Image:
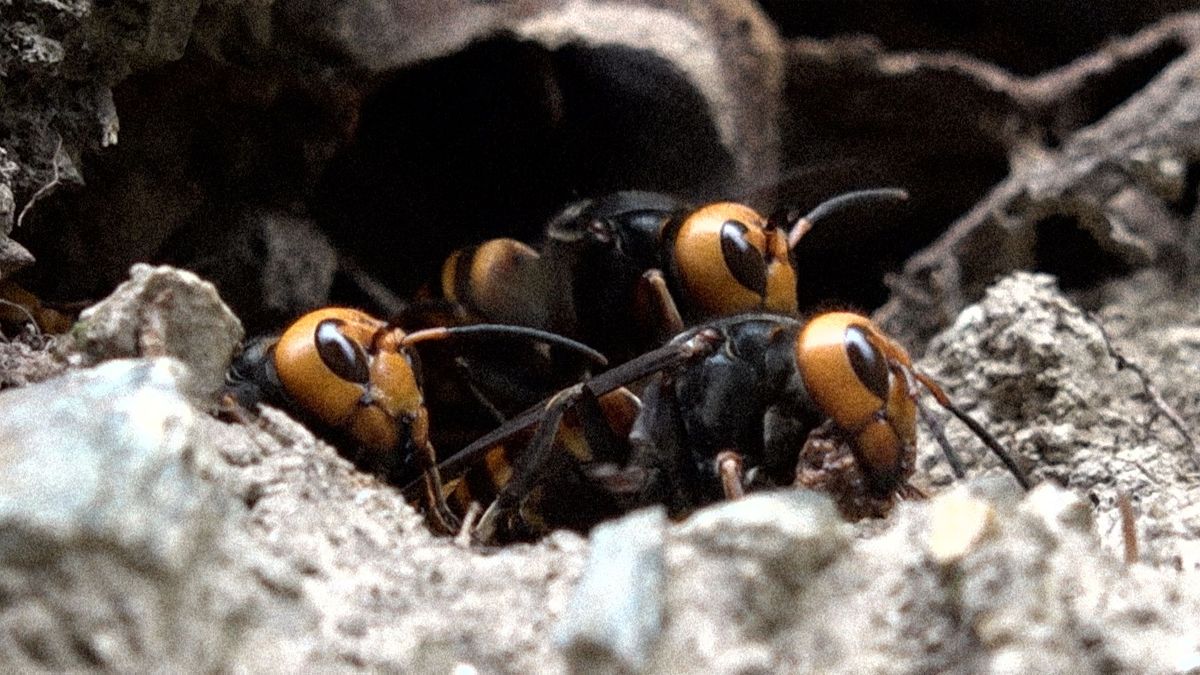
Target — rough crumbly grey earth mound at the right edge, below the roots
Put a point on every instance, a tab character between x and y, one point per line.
1040	372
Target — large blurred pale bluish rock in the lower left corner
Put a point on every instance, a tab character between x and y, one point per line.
109	542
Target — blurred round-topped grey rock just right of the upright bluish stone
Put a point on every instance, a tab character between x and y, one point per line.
740	571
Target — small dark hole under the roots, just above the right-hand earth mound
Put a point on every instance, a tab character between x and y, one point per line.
1069	252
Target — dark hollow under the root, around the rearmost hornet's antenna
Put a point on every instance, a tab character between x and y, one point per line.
925	134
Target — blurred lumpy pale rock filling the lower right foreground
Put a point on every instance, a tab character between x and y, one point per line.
1025	593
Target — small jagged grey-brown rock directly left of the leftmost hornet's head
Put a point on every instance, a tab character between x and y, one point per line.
161	312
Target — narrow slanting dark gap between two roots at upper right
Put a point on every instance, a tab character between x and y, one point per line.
1099	97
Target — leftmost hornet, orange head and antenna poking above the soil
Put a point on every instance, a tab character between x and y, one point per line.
358	381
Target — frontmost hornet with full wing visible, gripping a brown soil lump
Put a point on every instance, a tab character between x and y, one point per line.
741	403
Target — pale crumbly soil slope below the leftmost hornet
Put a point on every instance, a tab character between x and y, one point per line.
388	594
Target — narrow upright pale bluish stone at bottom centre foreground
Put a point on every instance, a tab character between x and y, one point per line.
616	612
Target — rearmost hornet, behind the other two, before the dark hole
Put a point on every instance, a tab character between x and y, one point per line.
640	261
